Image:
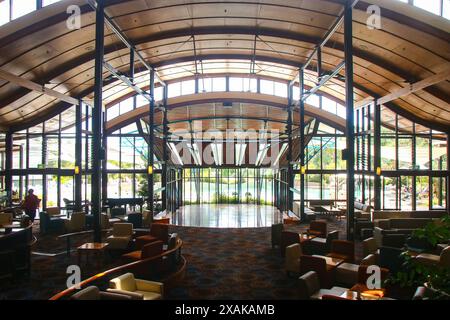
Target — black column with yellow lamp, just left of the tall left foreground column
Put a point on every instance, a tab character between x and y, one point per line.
78	154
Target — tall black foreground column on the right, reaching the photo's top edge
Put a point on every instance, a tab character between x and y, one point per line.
350	152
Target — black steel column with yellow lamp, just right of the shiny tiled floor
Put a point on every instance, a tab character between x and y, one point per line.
302	145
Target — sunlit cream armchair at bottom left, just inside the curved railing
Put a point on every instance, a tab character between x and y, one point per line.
137	288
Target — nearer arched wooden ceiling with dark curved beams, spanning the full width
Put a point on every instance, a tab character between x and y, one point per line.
412	45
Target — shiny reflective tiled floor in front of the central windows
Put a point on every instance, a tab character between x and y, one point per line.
226	216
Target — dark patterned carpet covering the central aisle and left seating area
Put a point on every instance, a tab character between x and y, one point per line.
222	264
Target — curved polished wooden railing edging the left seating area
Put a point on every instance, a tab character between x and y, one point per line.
125	267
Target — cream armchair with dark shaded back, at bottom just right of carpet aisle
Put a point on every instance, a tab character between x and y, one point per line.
310	288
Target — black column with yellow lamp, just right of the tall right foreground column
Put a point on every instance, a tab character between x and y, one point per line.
377	155
